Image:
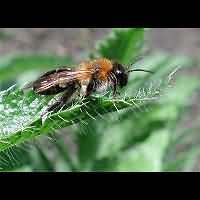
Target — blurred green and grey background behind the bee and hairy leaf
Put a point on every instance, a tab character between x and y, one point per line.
157	137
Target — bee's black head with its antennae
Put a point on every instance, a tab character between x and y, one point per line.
121	73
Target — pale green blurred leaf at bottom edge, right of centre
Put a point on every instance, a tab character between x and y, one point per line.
144	157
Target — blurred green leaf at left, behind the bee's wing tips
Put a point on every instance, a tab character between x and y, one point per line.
13	66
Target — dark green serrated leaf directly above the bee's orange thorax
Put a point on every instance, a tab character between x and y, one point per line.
123	44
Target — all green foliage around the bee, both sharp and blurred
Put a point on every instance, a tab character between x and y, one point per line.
137	131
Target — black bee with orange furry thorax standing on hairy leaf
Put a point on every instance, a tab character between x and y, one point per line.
88	77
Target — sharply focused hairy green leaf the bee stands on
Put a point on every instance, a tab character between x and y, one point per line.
20	118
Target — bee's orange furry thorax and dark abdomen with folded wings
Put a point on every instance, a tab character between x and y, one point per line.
88	77
